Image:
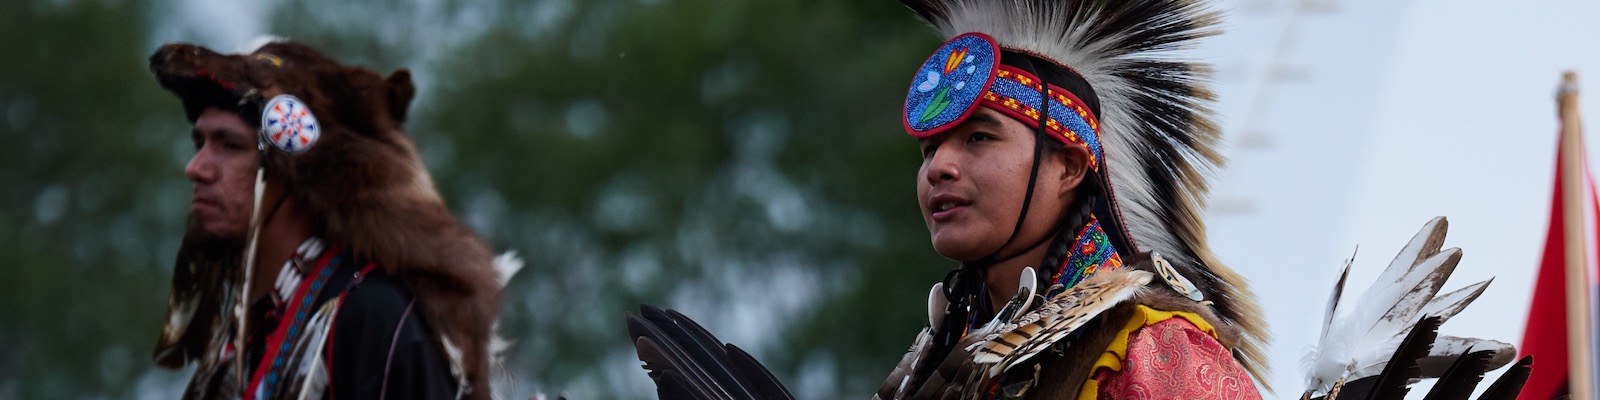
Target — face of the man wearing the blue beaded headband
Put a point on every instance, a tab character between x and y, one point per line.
972	185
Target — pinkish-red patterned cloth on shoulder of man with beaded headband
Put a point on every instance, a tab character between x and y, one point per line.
1174	359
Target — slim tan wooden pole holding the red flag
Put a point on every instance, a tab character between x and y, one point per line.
1574	180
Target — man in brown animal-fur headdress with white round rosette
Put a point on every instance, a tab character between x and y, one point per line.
319	260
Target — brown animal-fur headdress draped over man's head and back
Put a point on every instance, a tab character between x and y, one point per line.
364	185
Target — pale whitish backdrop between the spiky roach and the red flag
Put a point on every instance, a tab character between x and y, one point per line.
1356	122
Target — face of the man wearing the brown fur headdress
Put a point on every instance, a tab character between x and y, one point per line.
223	172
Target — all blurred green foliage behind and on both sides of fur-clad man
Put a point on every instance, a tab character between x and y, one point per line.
738	161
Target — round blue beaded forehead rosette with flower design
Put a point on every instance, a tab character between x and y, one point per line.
950	86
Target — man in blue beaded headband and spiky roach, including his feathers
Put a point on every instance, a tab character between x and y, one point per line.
1066	154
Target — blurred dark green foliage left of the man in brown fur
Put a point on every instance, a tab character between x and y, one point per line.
94	199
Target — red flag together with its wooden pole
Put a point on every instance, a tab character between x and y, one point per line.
1551	330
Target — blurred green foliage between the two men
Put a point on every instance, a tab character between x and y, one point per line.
738	161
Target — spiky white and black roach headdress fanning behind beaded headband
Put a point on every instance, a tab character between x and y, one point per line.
1154	126
